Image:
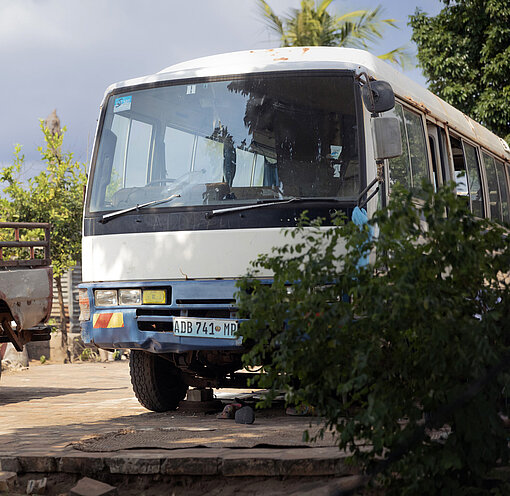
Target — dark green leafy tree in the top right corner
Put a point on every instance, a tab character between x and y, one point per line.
464	52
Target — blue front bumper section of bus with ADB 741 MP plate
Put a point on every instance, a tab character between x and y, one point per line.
201	315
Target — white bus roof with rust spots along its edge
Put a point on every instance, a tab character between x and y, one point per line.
310	58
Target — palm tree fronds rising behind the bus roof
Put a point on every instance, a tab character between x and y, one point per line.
313	25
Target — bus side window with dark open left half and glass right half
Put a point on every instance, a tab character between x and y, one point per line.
467	174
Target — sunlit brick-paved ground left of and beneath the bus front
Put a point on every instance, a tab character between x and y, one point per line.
47	407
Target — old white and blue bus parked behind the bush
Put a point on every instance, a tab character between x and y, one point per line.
199	168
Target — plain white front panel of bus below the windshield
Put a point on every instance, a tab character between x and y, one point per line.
176	255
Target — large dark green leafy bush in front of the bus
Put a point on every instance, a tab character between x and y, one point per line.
403	358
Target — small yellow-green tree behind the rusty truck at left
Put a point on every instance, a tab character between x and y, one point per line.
55	195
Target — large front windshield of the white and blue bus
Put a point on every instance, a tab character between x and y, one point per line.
229	142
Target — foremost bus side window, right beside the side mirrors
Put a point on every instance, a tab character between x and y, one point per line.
412	166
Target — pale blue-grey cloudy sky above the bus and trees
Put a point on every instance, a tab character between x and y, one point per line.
62	54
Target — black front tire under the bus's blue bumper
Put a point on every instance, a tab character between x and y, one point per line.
158	385
